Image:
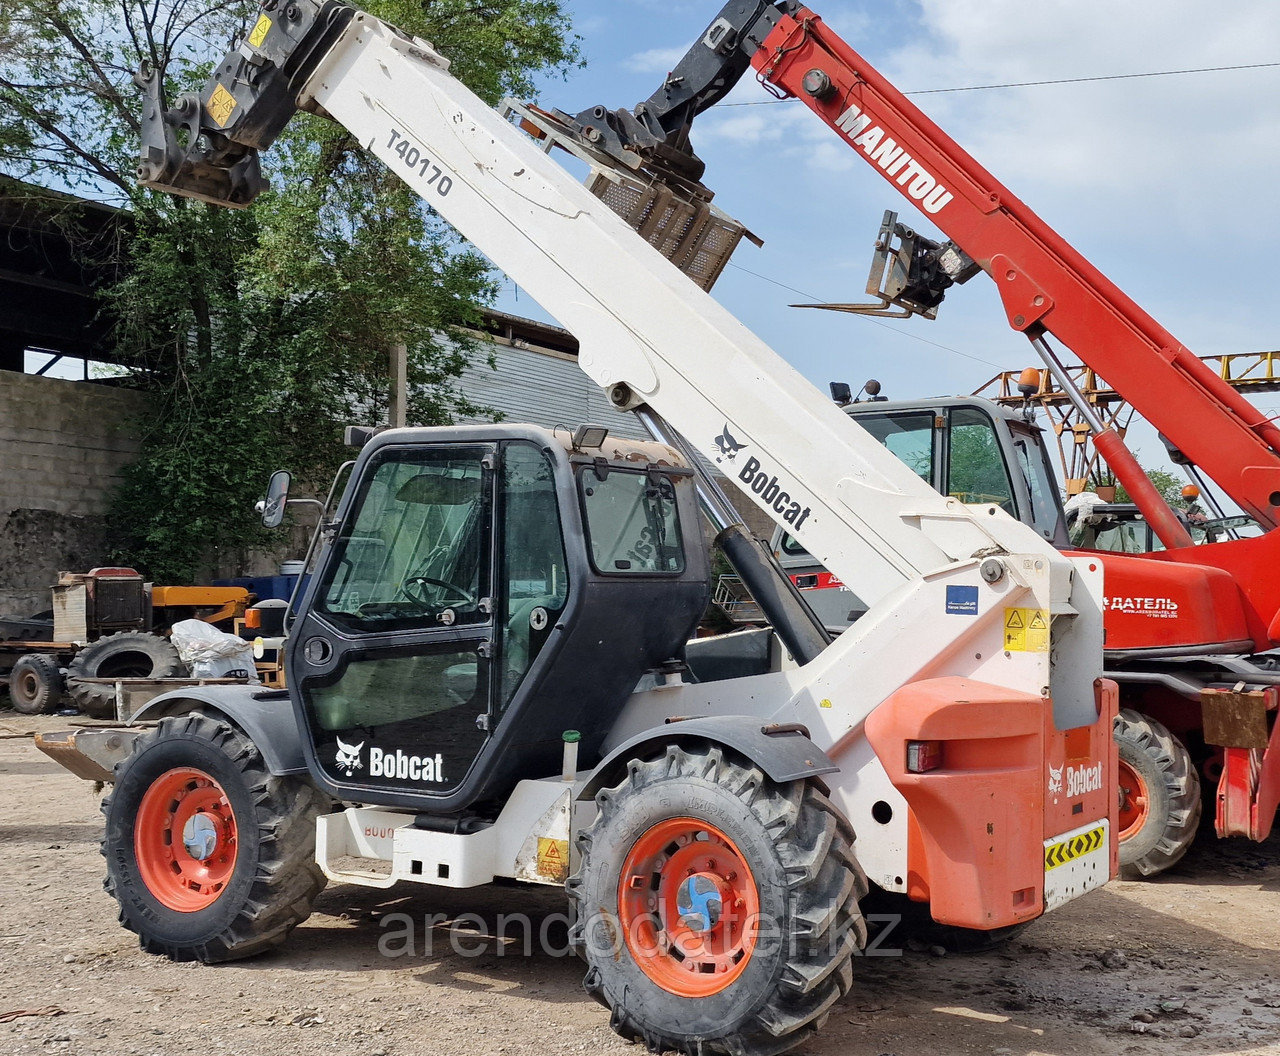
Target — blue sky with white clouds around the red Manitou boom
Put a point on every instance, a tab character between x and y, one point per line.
1167	184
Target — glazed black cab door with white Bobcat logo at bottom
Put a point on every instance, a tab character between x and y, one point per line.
392	662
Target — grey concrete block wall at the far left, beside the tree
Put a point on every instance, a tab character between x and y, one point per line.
62	449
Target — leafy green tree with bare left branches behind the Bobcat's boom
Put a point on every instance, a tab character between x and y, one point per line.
257	332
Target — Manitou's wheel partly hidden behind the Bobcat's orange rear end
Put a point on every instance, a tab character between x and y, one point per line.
1164	811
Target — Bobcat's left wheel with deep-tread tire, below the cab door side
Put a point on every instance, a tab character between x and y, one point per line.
273	879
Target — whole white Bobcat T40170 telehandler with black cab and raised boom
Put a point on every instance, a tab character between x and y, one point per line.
491	664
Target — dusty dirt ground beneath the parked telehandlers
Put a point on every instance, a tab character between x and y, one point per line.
1187	964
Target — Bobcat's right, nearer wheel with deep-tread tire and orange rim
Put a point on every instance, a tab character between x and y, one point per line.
804	883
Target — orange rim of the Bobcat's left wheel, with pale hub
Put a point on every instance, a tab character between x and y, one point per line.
186	840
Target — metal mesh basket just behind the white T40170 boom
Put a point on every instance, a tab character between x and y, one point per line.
693	235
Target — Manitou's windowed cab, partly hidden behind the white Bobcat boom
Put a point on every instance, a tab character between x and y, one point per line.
964	447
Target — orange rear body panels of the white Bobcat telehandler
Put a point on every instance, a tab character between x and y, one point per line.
976	838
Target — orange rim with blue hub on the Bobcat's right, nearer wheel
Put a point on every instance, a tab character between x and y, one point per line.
689	908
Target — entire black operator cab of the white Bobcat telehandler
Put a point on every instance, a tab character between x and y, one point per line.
464	616
